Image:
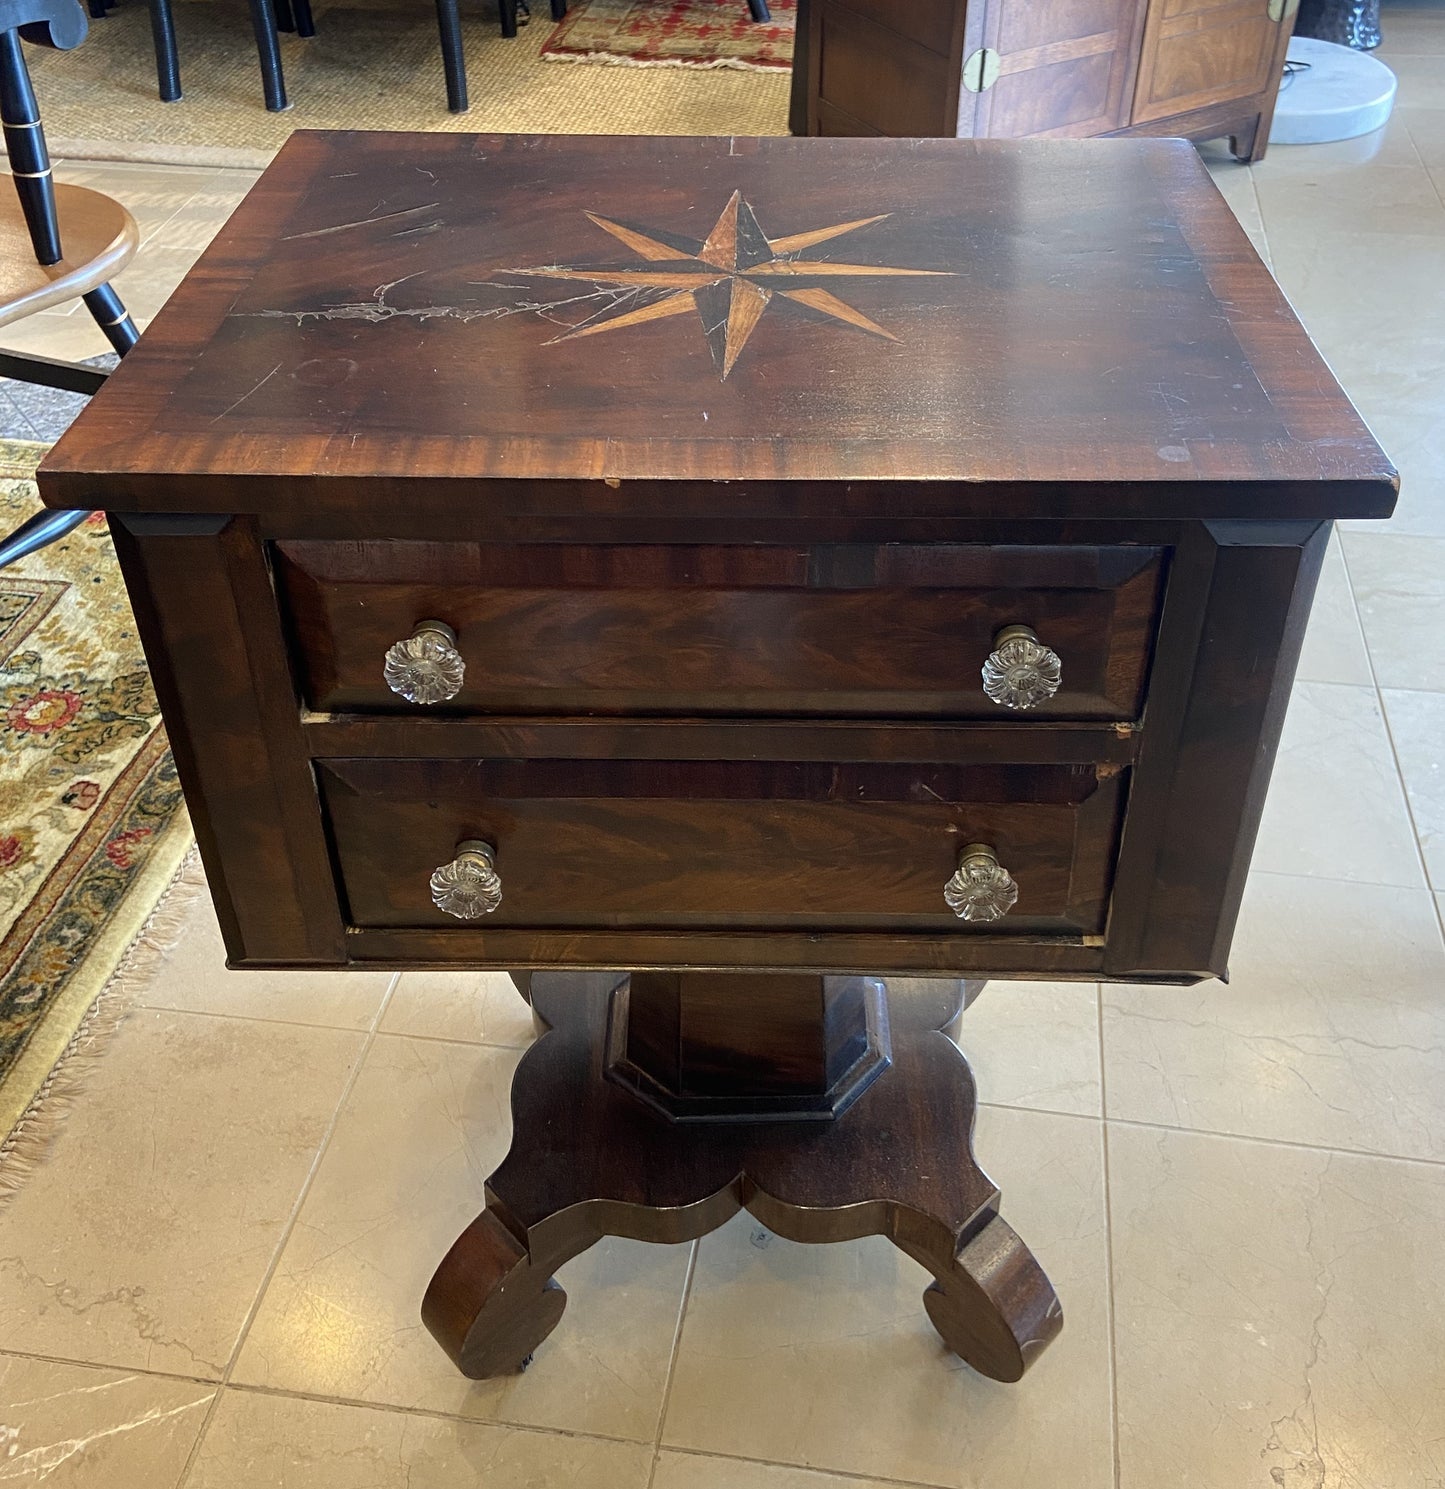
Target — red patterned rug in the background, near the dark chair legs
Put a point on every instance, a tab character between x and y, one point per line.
676	34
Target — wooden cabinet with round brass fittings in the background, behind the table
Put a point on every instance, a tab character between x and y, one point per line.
1015	69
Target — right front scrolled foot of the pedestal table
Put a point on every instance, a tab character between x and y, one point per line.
994	1308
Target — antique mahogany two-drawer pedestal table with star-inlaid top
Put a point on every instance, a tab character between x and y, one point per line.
708	578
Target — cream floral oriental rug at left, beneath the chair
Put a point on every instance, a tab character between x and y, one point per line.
92	820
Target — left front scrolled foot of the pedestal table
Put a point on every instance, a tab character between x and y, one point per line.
488	1305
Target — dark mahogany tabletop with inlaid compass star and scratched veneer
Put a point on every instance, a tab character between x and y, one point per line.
974	327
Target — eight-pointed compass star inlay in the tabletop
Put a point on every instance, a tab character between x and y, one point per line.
729	281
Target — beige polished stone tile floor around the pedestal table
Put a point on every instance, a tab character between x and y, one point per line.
1240	1190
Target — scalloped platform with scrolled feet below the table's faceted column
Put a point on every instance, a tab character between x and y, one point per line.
591	1159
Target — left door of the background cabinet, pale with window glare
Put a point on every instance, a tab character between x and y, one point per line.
1066	68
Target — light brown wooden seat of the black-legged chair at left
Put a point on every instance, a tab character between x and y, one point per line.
101	237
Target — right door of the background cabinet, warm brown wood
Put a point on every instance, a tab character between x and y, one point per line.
1201	53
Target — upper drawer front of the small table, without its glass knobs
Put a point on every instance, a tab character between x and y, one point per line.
890	631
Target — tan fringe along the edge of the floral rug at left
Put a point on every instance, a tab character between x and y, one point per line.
29	1141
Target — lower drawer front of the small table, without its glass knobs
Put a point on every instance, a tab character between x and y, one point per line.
704	845
